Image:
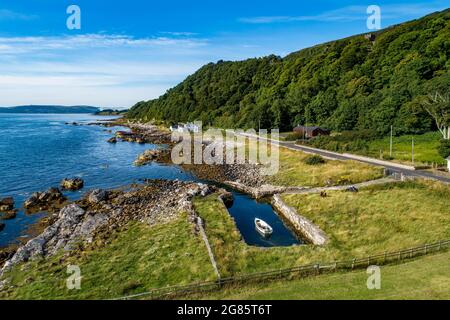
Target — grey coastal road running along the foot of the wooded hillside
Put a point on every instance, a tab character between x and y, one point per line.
337	156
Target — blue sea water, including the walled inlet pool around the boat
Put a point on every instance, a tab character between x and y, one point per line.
37	151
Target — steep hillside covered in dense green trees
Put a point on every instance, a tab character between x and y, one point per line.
353	83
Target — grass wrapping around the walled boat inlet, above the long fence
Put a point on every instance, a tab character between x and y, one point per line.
375	220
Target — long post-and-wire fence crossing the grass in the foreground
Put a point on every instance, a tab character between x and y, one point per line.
295	272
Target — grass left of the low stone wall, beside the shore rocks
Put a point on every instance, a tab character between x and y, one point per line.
136	259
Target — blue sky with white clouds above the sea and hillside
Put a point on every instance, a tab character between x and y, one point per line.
134	50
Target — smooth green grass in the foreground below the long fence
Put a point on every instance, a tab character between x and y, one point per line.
423	278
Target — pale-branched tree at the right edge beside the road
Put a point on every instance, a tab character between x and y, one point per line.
438	107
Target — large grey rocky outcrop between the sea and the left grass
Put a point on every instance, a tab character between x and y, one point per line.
92	219
